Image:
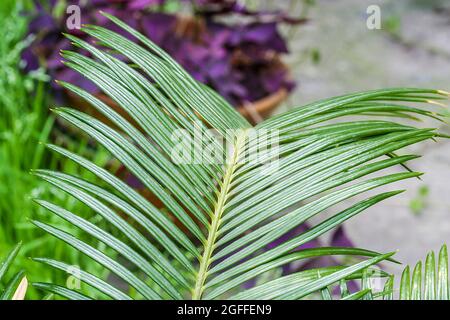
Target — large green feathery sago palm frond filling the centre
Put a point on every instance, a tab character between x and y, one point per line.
212	235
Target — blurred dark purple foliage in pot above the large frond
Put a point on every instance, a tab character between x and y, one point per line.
238	60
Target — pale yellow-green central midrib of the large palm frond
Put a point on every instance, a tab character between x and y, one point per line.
219	209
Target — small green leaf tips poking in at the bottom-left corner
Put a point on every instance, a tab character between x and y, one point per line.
16	287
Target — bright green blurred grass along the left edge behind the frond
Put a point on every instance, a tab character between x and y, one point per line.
25	126
